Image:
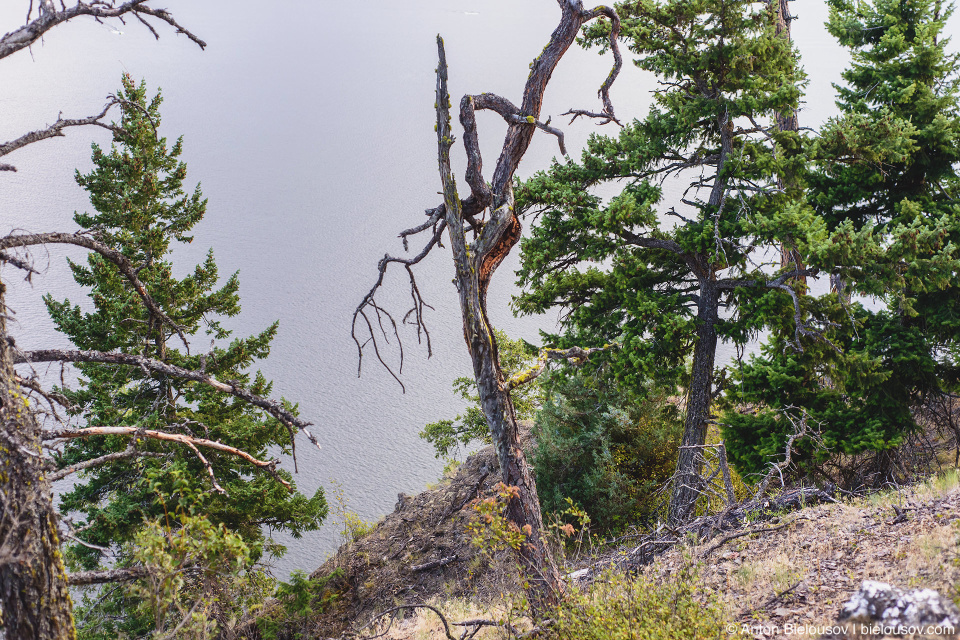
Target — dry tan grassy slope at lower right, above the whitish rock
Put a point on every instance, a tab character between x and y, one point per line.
827	551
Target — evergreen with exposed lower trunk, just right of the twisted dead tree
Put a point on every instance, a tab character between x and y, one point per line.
655	275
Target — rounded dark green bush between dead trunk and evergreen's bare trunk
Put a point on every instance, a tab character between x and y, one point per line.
603	450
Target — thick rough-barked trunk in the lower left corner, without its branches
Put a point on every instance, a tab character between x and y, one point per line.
34	600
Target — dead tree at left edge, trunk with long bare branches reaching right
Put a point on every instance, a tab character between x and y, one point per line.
34	598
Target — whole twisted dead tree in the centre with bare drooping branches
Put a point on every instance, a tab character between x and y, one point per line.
488	216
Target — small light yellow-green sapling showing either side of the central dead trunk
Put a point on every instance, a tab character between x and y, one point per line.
448	436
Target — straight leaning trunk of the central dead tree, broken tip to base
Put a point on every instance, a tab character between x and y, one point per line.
472	280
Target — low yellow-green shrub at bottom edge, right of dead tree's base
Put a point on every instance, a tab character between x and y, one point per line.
619	607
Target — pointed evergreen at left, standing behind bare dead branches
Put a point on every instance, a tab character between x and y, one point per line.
141	209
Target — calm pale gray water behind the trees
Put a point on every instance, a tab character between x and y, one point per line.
310	127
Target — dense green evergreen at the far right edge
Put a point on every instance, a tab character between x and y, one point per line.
885	173
